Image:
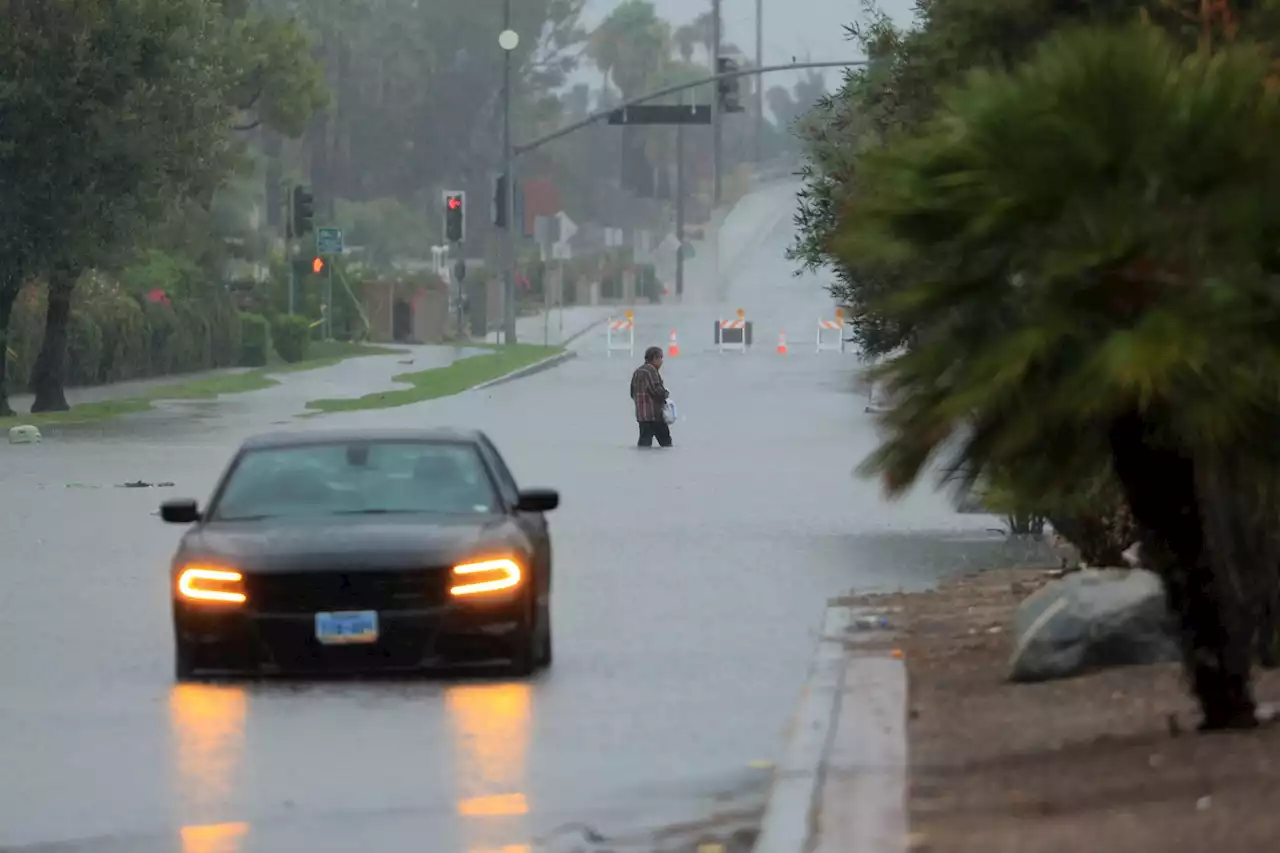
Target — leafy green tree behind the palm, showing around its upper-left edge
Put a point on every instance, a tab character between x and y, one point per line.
900	89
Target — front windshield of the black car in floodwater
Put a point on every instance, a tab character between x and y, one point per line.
362	478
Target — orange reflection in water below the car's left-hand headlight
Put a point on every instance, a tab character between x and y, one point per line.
208	727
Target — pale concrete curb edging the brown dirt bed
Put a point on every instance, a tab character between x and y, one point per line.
842	783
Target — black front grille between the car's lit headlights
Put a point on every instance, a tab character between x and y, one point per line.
324	591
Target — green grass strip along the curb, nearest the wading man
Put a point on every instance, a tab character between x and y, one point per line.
445	382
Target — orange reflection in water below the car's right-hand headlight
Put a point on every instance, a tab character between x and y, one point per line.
491	731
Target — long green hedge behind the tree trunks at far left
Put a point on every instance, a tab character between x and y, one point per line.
115	336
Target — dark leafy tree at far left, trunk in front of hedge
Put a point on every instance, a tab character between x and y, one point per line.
115	111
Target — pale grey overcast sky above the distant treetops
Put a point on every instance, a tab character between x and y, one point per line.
807	30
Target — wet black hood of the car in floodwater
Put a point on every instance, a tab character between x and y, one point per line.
353	544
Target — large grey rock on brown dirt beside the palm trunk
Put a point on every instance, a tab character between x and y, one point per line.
1090	621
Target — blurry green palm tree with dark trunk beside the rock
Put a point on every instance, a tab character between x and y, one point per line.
1092	240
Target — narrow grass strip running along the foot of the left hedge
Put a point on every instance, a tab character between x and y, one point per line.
323	354
